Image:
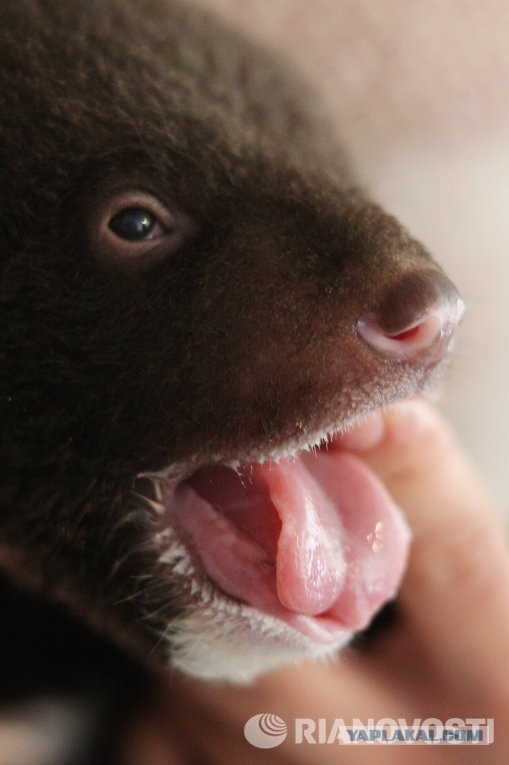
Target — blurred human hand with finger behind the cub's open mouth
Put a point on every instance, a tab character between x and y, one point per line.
447	656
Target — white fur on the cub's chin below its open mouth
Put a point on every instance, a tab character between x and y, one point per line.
218	638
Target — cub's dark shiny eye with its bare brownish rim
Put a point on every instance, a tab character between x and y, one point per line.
136	225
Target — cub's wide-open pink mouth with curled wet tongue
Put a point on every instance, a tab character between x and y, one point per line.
313	539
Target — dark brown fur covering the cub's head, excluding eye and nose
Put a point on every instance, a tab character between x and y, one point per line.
221	351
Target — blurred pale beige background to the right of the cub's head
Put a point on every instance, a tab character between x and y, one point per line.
420	94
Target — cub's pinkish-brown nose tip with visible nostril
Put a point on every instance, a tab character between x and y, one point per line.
416	319
